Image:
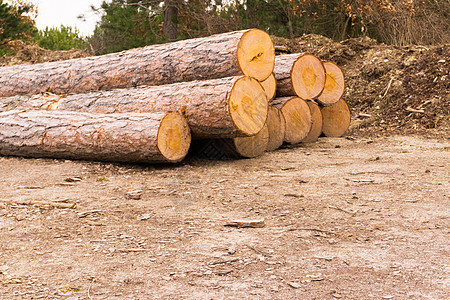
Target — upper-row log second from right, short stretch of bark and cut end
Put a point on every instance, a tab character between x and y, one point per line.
300	75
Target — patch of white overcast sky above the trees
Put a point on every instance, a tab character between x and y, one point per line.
53	13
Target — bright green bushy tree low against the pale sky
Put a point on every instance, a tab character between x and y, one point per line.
63	38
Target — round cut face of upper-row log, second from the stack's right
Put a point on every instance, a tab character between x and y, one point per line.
308	76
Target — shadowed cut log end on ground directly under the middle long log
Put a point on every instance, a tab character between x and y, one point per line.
252	146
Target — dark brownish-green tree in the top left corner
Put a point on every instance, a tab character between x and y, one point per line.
15	24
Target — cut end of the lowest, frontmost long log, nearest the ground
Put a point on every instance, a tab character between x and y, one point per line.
174	137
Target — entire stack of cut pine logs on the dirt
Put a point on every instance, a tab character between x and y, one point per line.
143	105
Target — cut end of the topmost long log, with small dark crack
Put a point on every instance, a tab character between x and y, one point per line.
256	54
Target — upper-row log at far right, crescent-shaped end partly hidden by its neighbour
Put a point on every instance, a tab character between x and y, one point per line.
334	85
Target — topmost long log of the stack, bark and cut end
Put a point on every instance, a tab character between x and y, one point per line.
246	52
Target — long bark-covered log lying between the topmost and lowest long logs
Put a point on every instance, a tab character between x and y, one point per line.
225	107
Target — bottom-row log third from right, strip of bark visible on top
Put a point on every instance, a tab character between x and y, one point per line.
298	118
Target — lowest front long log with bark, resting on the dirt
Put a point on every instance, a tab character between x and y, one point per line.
144	138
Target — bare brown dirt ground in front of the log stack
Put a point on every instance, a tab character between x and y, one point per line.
363	218
